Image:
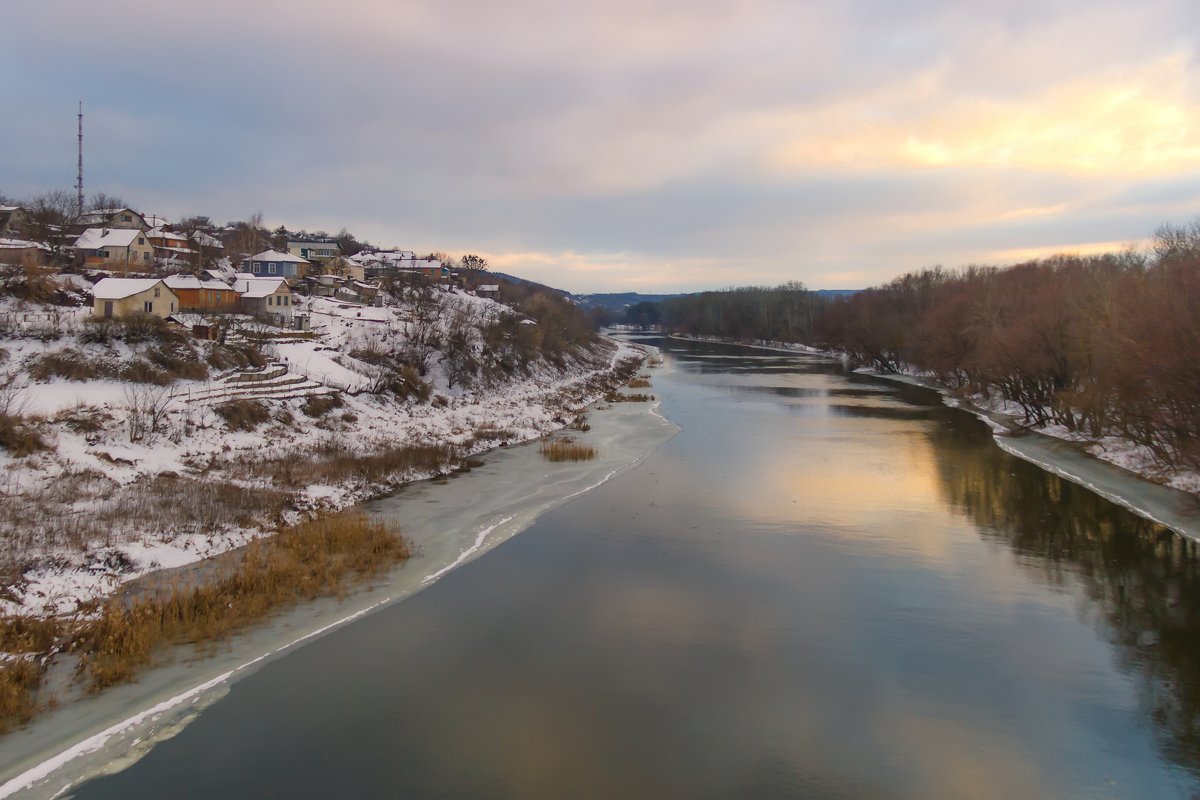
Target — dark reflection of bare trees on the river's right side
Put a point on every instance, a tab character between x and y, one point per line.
1141	581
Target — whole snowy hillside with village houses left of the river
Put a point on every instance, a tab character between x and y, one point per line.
172	392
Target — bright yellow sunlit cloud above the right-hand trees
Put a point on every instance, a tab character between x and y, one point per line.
1127	125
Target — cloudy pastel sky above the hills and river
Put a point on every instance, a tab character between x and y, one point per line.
611	146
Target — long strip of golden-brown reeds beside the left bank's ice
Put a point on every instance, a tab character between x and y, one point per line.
309	561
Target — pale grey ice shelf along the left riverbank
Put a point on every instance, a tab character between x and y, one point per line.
451	524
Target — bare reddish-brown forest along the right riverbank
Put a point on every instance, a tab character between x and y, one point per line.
1106	346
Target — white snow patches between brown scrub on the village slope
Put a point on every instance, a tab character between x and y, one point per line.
194	438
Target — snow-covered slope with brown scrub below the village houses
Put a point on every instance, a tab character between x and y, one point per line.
99	507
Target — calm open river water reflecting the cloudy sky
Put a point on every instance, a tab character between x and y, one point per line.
824	587
